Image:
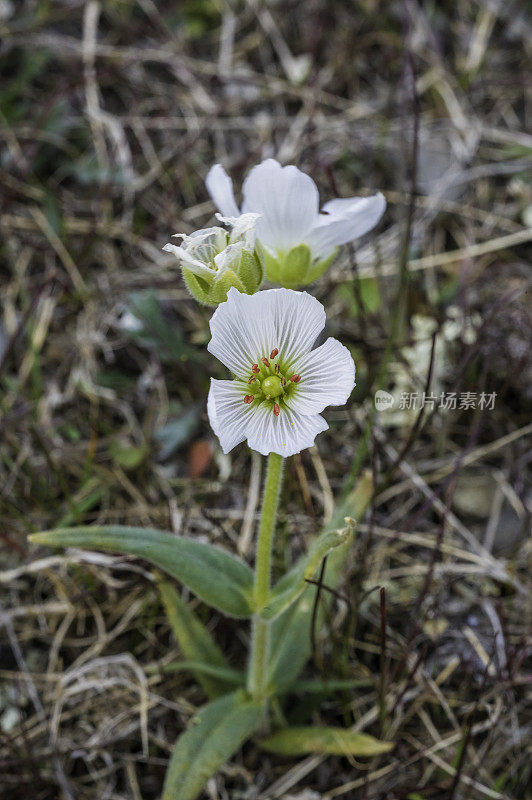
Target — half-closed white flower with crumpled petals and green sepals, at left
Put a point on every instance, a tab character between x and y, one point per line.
213	260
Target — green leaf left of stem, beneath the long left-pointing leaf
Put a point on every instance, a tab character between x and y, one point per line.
193	638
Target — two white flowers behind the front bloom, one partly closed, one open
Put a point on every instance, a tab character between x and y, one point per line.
279	230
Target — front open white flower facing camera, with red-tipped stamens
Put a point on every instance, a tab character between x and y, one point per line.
281	384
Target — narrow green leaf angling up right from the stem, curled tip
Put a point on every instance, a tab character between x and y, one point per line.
294	583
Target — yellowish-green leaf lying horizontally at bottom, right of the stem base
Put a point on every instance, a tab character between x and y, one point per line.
316	739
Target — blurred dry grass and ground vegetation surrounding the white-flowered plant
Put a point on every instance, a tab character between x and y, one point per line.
111	114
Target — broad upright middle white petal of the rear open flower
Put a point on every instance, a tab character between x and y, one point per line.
287	201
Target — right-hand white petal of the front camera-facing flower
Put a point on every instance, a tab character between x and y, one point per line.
327	378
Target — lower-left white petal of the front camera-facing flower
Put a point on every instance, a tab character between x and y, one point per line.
227	412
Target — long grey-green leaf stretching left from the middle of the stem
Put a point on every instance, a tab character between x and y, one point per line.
218	578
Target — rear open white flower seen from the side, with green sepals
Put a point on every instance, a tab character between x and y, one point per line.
299	241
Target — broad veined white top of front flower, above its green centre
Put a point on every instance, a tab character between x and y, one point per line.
247	327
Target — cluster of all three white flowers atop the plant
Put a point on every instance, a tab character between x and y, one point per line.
280	383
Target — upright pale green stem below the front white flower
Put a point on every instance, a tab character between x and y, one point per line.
260	635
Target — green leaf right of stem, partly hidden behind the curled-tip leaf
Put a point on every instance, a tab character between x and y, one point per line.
290	639
